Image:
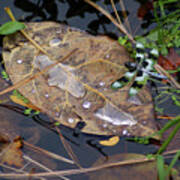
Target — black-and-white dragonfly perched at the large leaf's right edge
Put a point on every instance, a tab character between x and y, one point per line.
140	71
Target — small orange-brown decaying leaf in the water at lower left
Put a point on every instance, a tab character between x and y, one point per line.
11	154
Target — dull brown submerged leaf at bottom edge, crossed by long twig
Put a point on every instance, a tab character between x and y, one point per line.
129	169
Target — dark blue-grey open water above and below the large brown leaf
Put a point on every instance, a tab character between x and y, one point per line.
77	14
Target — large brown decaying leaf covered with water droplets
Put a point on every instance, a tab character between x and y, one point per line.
79	88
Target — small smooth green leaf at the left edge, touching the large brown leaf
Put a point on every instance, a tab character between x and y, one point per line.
11	27
